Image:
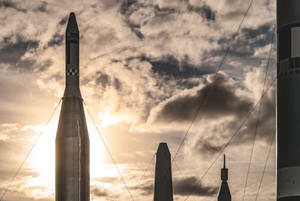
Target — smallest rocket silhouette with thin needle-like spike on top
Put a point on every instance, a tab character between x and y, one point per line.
224	193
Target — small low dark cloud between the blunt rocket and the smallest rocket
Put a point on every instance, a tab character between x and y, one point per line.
192	186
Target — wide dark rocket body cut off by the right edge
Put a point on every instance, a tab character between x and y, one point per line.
288	100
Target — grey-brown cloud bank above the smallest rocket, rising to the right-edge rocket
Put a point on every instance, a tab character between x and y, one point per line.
262	121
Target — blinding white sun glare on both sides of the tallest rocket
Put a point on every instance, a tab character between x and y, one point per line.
42	159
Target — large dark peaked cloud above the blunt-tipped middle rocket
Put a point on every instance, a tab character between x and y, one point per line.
216	99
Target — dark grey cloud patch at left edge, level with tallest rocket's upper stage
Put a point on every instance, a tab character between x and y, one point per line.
12	52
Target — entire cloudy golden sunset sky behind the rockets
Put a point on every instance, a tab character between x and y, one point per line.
149	72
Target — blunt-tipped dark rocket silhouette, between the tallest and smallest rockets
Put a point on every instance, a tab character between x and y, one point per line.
163	189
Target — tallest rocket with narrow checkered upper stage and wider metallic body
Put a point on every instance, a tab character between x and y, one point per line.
72	171
